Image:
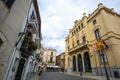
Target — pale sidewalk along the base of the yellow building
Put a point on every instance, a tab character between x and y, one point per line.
93	77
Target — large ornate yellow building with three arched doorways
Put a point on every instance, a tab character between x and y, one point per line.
93	35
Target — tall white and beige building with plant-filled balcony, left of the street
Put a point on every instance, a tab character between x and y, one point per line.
18	18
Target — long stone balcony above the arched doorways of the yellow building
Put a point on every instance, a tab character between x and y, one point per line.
81	46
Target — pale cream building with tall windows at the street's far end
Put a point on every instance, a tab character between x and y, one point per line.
47	58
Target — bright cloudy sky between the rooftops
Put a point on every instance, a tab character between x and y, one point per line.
58	16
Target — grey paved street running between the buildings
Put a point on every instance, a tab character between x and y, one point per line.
60	76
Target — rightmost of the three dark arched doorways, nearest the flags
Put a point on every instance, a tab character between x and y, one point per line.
87	62
